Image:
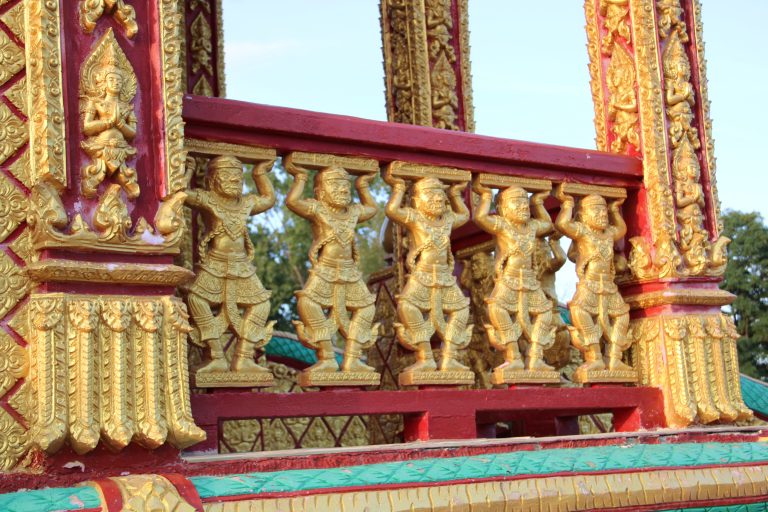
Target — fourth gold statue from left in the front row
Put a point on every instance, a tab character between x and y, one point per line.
517	307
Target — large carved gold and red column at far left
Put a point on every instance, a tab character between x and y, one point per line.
101	188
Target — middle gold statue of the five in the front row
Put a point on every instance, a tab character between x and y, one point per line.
431	287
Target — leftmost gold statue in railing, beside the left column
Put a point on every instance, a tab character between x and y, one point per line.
226	279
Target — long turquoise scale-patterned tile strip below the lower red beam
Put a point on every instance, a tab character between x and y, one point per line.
501	465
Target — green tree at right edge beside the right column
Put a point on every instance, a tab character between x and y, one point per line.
747	277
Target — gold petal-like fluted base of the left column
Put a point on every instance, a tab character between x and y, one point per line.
83	401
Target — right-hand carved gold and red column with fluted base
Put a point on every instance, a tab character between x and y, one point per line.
648	80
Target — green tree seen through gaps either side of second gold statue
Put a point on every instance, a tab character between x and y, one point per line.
281	240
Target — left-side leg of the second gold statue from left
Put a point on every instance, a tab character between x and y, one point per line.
316	331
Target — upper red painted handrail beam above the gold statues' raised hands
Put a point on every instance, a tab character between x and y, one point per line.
287	129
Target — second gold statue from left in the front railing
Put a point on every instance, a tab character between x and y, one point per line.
335	283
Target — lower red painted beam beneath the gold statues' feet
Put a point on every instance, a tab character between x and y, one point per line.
437	413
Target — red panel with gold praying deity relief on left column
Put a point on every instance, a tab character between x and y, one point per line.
106	198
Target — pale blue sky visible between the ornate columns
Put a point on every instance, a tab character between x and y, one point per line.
529	66
